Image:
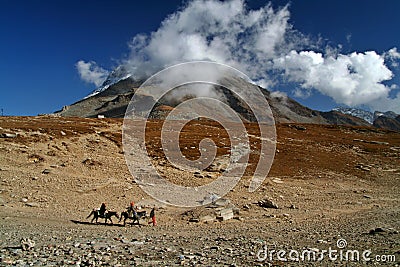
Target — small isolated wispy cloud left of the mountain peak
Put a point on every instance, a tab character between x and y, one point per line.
91	73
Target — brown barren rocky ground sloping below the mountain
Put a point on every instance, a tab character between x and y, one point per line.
328	184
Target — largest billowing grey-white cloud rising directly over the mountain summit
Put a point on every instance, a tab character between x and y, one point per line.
222	31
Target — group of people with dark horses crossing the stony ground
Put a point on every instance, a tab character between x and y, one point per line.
131	213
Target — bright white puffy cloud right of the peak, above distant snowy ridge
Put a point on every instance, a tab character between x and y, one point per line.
353	79
